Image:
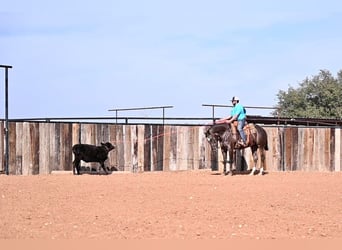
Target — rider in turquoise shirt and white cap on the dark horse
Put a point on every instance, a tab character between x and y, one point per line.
238	113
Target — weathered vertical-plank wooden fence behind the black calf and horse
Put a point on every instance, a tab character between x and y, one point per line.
40	148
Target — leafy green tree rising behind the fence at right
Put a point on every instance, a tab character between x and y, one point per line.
317	97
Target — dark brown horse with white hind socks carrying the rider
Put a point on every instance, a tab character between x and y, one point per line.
227	135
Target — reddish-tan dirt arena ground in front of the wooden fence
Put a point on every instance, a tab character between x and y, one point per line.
172	205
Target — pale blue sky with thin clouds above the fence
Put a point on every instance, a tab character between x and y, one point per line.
82	58
